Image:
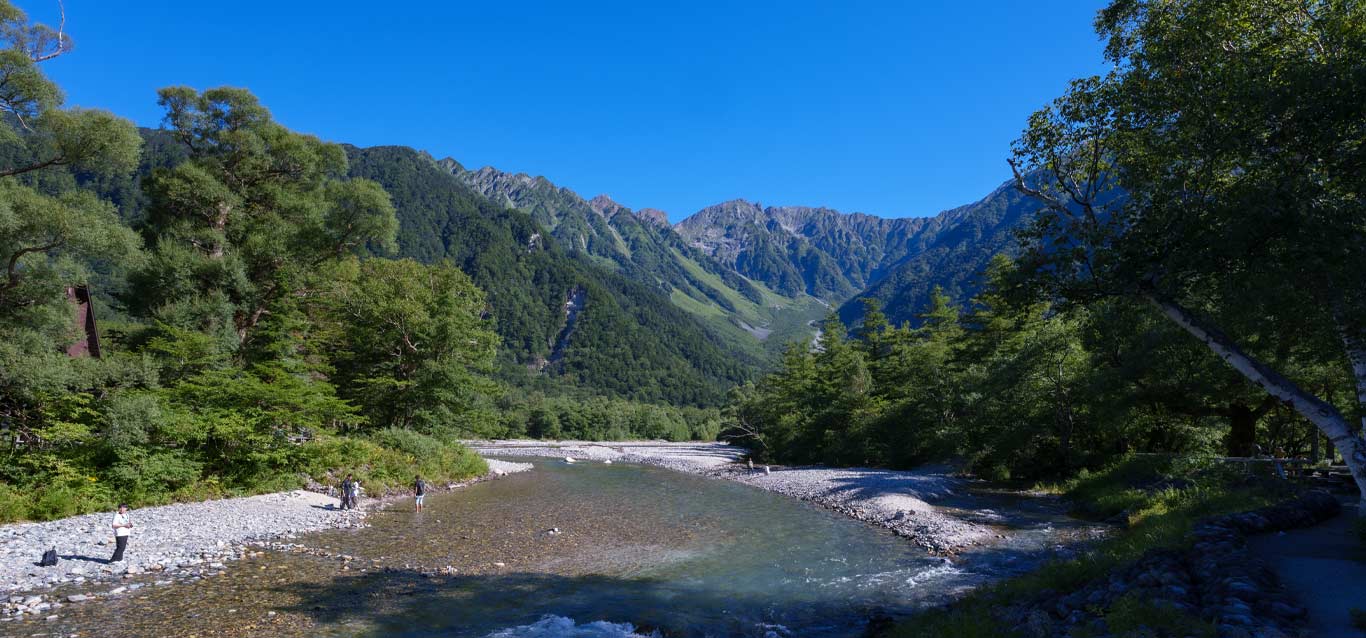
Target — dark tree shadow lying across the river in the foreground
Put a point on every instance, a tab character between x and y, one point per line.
412	605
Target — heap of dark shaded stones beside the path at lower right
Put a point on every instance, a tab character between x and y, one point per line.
1216	580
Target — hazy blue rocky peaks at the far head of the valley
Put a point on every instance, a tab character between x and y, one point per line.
844	259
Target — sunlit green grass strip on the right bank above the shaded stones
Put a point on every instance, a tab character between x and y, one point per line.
1163	499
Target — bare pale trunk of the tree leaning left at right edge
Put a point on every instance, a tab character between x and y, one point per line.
1345	434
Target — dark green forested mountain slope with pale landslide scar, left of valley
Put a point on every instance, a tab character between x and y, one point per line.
563	314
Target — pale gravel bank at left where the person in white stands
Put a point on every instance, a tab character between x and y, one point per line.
188	540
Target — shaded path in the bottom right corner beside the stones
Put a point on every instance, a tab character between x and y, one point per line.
1327	568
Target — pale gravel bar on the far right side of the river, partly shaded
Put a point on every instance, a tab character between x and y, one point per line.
904	502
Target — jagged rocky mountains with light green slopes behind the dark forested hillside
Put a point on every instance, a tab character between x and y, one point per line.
779	258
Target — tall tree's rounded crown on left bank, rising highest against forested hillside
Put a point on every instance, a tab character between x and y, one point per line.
251	218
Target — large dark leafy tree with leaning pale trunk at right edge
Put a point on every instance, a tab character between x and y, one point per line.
1218	174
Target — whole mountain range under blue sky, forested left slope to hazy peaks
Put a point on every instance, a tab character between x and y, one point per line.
589	294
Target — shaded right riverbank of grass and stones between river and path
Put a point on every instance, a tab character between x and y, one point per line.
1178	568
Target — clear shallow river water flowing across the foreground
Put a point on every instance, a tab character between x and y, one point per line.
659	550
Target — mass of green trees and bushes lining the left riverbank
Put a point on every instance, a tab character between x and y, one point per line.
218	378
